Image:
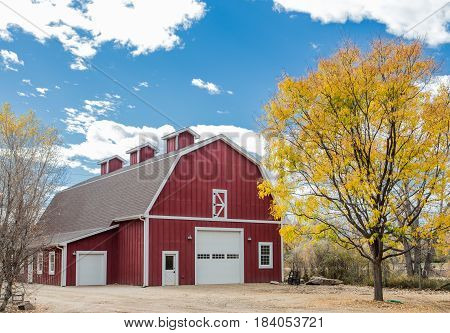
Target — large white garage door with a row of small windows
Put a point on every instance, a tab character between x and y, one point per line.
219	256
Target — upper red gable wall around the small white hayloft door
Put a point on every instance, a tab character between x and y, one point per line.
188	192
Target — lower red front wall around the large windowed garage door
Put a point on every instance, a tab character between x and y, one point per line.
171	235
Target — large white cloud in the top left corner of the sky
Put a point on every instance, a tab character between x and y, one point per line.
141	26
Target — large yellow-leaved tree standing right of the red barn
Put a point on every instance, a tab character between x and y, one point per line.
345	142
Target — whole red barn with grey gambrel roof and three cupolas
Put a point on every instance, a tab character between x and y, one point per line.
189	216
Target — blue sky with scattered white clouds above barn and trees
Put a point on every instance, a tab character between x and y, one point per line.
210	63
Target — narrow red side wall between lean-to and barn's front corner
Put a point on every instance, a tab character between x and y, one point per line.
130	240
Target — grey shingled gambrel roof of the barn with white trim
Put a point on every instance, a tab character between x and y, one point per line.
129	192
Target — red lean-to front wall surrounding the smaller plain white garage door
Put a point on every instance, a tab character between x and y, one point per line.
105	241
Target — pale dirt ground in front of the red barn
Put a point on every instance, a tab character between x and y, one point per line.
232	298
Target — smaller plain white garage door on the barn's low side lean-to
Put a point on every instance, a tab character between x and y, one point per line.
91	268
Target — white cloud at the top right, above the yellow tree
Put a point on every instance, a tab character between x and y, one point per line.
399	16
